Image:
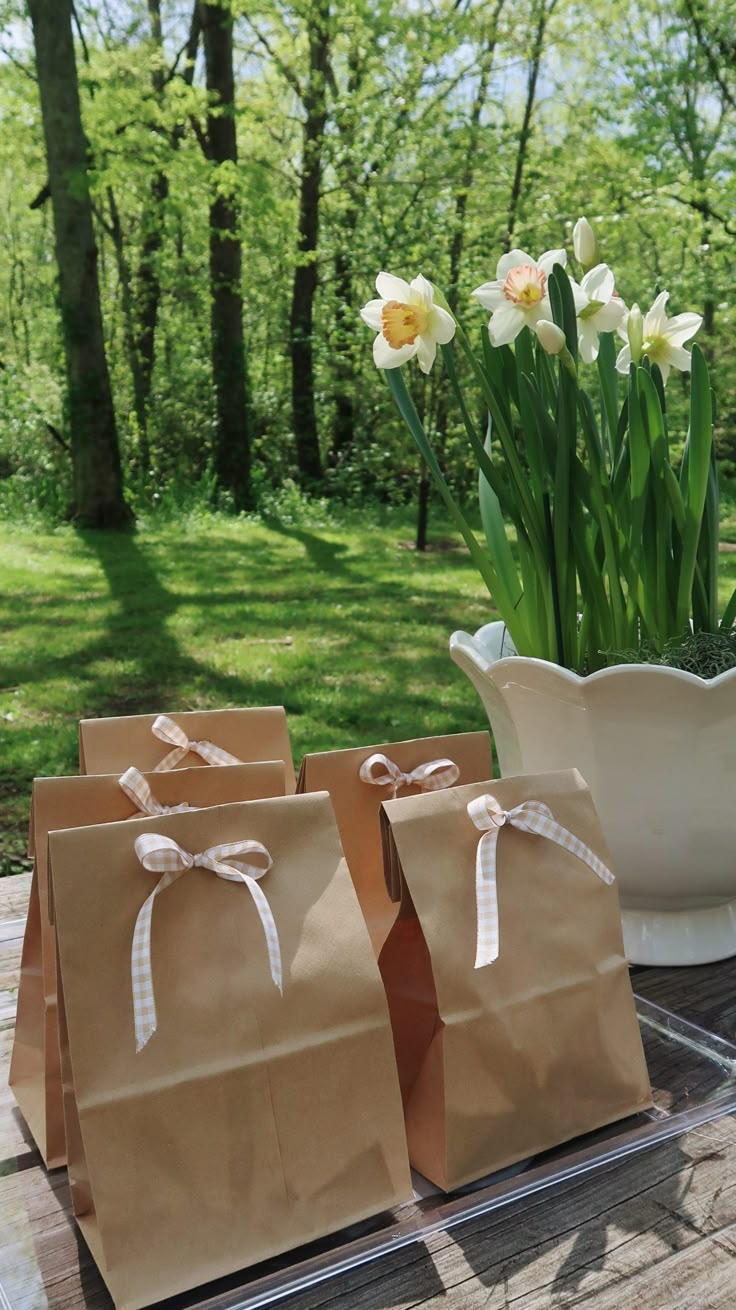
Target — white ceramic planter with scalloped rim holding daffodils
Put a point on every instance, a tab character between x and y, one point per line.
658	749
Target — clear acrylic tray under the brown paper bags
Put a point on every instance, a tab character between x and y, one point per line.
693	1076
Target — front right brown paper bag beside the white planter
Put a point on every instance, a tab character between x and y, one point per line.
542	1046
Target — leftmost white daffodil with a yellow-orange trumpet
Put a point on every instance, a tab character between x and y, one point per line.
408	323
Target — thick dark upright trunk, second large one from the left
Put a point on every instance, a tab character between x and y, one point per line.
230	375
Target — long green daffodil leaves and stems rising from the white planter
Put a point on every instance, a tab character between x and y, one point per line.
614	550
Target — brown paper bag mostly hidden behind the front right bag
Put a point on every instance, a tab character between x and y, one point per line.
358	804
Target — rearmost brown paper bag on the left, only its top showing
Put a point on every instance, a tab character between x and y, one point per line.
240	737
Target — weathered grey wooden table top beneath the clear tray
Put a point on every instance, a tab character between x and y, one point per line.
657	1231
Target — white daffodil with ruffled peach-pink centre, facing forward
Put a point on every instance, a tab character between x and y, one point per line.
519	297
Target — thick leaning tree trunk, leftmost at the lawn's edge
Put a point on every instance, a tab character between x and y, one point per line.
96	458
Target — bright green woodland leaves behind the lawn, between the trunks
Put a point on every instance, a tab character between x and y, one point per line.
629	116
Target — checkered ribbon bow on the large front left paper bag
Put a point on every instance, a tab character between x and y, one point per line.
164	856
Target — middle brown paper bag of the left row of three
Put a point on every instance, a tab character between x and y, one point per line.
36	1077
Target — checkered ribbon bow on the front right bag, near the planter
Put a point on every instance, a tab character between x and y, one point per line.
531	817
